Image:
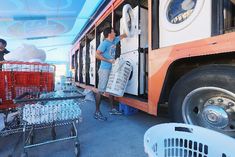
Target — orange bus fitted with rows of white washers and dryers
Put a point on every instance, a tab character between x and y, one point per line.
182	54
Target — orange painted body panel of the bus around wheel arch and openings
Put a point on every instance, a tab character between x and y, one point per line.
159	60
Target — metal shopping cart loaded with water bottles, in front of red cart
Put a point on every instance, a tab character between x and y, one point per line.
48	110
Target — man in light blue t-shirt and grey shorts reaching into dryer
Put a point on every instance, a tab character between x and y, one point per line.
106	54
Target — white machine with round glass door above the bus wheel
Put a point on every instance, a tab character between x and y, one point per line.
184	20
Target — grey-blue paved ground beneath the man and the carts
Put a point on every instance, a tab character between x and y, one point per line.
120	136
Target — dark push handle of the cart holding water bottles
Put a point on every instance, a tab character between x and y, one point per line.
17	101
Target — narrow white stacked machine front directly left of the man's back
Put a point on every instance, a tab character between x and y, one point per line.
92	51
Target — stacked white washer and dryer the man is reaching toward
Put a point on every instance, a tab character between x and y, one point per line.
130	51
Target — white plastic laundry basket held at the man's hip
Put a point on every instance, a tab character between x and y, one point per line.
119	77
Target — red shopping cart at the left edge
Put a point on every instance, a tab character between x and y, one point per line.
20	77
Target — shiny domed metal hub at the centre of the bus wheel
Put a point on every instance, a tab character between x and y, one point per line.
215	116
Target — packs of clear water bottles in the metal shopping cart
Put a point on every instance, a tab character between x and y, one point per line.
51	111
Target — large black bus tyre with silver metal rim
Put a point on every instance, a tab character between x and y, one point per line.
206	97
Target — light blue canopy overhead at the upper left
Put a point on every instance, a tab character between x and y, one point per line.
51	25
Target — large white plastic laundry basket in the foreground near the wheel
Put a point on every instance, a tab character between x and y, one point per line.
182	140
